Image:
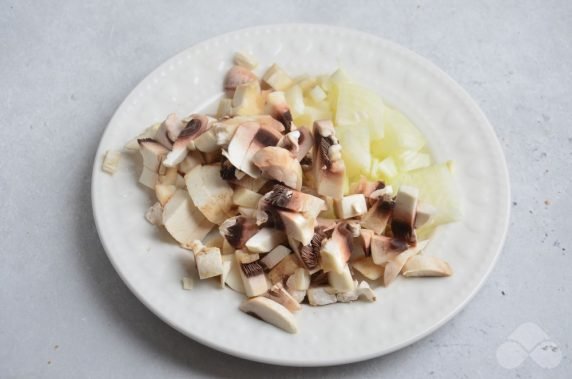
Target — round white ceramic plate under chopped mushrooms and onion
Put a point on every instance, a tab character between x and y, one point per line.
152	265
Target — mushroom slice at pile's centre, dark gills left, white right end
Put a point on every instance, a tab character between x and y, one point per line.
296	201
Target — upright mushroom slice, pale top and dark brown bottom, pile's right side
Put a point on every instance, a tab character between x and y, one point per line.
403	218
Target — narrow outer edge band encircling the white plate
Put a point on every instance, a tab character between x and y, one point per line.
435	70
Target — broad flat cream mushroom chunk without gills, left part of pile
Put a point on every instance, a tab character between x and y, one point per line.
210	193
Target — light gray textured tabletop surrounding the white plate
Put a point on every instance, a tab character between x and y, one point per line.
63	71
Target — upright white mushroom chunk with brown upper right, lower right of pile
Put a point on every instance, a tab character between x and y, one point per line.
336	251
